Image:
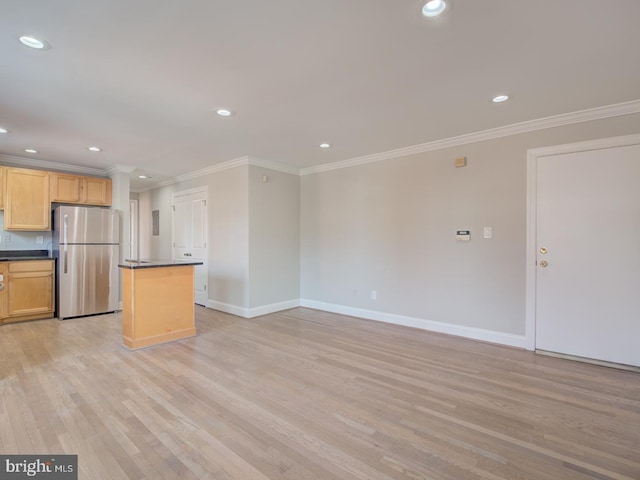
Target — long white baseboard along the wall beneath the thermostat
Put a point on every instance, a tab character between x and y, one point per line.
451	329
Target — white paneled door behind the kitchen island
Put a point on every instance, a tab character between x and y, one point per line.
190	236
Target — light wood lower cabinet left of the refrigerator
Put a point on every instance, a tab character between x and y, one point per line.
28	292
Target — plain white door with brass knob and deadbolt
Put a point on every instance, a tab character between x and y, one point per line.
587	291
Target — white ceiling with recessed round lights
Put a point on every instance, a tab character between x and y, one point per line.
142	79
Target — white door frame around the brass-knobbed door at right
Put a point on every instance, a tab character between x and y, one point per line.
531	258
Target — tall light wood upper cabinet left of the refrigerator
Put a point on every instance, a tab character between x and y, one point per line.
27	204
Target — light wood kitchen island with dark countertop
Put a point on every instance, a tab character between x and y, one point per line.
157	301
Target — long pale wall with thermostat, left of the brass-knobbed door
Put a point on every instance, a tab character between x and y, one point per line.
390	226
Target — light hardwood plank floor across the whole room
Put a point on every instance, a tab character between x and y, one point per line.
304	394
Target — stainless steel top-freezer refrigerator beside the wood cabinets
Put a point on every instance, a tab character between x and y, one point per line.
86	245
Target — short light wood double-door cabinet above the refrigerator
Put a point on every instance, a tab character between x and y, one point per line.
67	188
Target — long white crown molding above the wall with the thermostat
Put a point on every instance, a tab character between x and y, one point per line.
597	113
